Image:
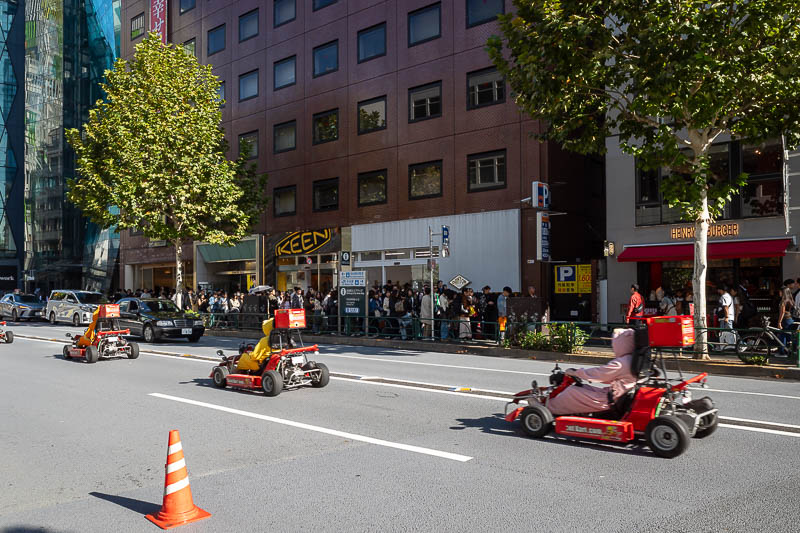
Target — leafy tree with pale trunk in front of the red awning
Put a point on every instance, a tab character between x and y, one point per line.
669	77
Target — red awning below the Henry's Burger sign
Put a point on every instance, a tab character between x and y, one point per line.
716	250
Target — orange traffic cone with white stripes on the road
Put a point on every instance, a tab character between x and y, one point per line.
177	508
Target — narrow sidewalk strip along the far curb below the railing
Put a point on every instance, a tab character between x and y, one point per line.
728	365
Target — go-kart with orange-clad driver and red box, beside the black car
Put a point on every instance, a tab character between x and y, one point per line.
103	338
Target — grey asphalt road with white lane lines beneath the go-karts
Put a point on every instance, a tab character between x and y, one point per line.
83	448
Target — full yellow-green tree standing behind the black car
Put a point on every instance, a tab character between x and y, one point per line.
152	156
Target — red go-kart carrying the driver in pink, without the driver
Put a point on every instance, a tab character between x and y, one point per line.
657	409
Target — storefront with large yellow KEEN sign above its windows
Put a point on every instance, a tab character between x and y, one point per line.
305	259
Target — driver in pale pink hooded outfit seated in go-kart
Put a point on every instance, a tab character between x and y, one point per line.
617	374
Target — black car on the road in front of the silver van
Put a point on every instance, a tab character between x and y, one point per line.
154	318
